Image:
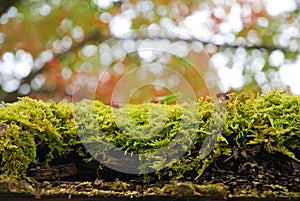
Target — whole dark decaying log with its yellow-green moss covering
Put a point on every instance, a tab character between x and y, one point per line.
255	154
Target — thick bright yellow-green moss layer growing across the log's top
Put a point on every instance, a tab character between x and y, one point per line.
40	132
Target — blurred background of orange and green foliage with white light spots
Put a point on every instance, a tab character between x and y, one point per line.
61	49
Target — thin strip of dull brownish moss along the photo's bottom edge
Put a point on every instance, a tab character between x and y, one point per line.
191	190
